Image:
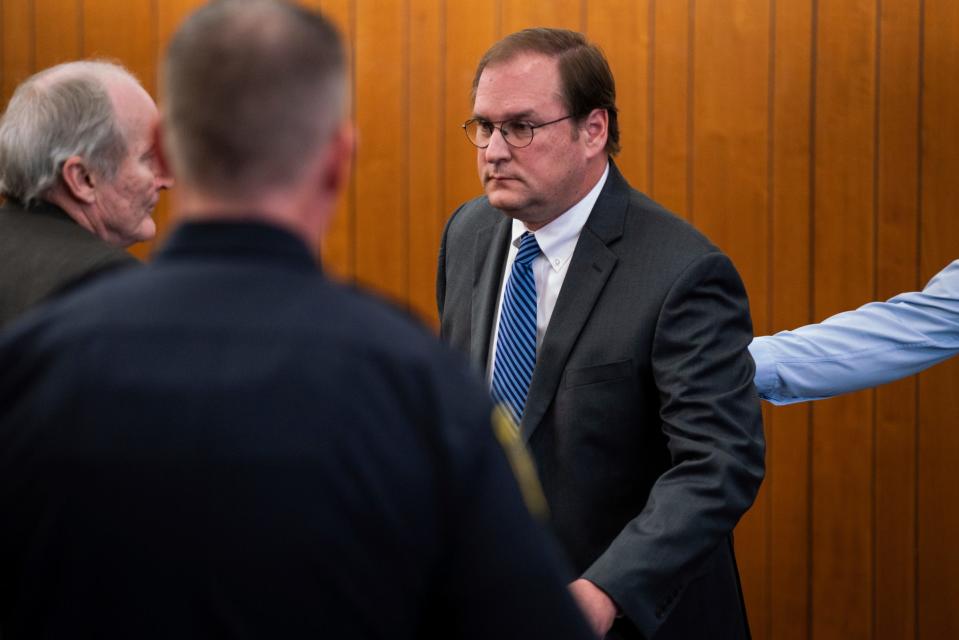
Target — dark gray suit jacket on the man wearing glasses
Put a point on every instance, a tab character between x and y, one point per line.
641	415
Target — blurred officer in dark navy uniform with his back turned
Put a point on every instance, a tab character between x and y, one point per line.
224	443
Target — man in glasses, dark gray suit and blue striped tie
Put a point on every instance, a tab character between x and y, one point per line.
616	334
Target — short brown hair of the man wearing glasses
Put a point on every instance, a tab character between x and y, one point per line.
587	82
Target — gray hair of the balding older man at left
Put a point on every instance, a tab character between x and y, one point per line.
57	113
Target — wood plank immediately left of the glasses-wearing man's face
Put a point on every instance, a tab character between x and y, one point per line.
471	25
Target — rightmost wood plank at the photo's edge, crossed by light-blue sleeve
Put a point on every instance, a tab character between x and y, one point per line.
938	579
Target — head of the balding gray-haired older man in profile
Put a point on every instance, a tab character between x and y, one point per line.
81	135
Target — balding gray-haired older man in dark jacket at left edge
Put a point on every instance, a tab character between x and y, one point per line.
79	176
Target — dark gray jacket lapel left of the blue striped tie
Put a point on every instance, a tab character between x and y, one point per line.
490	255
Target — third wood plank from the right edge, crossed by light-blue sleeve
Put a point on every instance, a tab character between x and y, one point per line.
844	276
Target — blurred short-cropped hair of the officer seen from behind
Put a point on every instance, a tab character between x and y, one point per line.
252	88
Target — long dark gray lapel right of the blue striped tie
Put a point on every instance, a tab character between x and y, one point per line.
589	269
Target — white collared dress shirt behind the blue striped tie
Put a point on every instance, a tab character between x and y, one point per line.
557	241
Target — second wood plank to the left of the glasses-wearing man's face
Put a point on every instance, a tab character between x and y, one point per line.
427	136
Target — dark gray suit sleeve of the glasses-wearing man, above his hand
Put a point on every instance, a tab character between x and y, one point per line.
711	419
